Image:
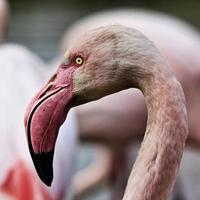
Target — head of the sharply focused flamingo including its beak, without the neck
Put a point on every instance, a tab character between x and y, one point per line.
96	65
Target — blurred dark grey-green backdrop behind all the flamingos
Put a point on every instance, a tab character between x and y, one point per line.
39	25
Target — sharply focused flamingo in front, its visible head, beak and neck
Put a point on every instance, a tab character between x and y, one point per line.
104	61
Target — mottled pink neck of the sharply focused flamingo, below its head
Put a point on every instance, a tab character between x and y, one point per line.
158	161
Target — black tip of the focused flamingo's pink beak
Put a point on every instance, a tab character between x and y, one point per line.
44	166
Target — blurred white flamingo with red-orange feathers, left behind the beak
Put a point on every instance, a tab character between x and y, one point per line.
23	72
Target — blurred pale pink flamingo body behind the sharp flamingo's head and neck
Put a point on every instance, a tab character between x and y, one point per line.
101	120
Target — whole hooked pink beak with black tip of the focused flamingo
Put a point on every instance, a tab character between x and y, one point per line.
44	116
